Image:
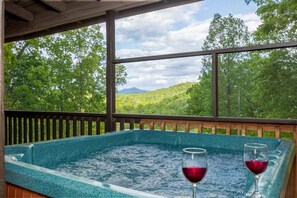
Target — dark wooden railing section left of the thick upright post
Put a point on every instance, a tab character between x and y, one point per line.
27	126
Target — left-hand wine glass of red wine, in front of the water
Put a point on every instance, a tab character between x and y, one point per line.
194	165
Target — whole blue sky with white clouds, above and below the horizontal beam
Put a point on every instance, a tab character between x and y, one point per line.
179	29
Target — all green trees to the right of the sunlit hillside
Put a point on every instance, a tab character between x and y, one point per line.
255	84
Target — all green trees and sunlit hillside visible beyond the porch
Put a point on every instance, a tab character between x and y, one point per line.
66	72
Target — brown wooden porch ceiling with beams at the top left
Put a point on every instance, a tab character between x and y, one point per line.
31	18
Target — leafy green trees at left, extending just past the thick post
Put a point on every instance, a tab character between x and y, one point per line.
60	72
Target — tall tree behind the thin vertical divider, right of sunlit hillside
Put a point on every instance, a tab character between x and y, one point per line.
224	32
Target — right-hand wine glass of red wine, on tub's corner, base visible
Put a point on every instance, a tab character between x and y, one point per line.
256	160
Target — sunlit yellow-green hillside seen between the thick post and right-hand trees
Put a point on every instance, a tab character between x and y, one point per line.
166	101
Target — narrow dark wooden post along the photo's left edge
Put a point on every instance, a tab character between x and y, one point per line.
2	117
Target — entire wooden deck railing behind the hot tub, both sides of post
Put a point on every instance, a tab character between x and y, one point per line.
24	127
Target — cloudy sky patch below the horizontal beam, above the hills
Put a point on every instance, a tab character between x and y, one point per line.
151	75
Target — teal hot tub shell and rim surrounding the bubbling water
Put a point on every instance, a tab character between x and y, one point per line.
26	164
